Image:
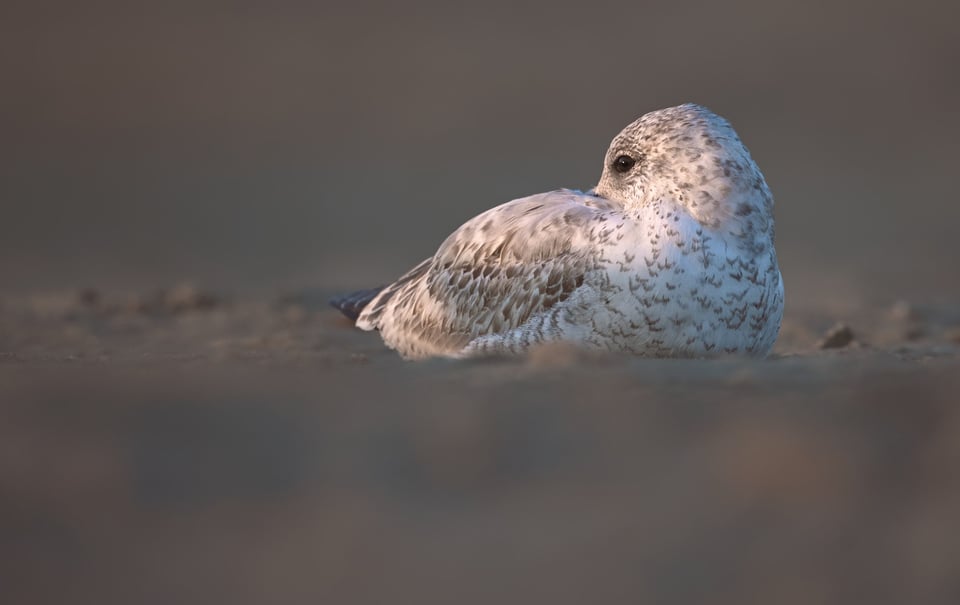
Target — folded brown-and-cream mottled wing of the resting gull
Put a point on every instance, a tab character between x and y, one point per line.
491	275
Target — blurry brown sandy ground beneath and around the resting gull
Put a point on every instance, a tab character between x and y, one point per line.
185	447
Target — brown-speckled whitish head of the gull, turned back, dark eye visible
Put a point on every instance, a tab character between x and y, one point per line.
690	157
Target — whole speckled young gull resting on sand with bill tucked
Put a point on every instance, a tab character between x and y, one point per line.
670	255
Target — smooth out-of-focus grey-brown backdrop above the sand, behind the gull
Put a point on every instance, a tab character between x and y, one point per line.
251	145
